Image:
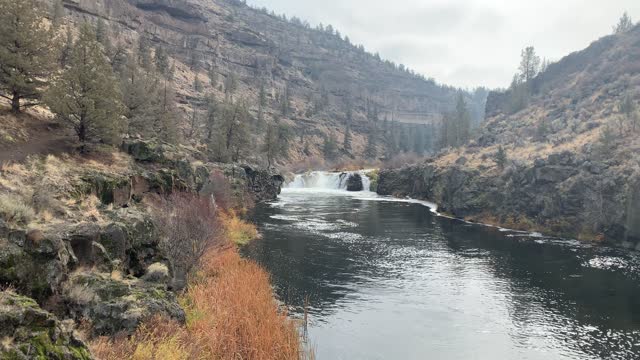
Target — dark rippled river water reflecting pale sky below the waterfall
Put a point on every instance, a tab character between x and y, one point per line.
390	280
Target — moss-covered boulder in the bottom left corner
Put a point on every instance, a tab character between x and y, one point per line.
28	332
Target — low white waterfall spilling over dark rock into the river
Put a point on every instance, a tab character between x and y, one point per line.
327	180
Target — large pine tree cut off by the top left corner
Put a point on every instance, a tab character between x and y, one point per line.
25	52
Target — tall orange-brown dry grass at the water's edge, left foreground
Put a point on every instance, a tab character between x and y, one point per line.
231	314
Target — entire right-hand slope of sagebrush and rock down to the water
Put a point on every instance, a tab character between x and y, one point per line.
570	159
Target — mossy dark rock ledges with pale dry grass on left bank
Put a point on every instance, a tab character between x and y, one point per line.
77	237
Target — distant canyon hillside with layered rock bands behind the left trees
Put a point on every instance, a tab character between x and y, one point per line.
324	76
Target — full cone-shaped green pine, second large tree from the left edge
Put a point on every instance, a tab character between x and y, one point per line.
86	95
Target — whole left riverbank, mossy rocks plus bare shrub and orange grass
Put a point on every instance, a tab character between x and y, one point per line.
132	255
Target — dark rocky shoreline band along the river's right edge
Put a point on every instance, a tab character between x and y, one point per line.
565	195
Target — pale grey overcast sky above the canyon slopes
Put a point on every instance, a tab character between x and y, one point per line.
465	43
